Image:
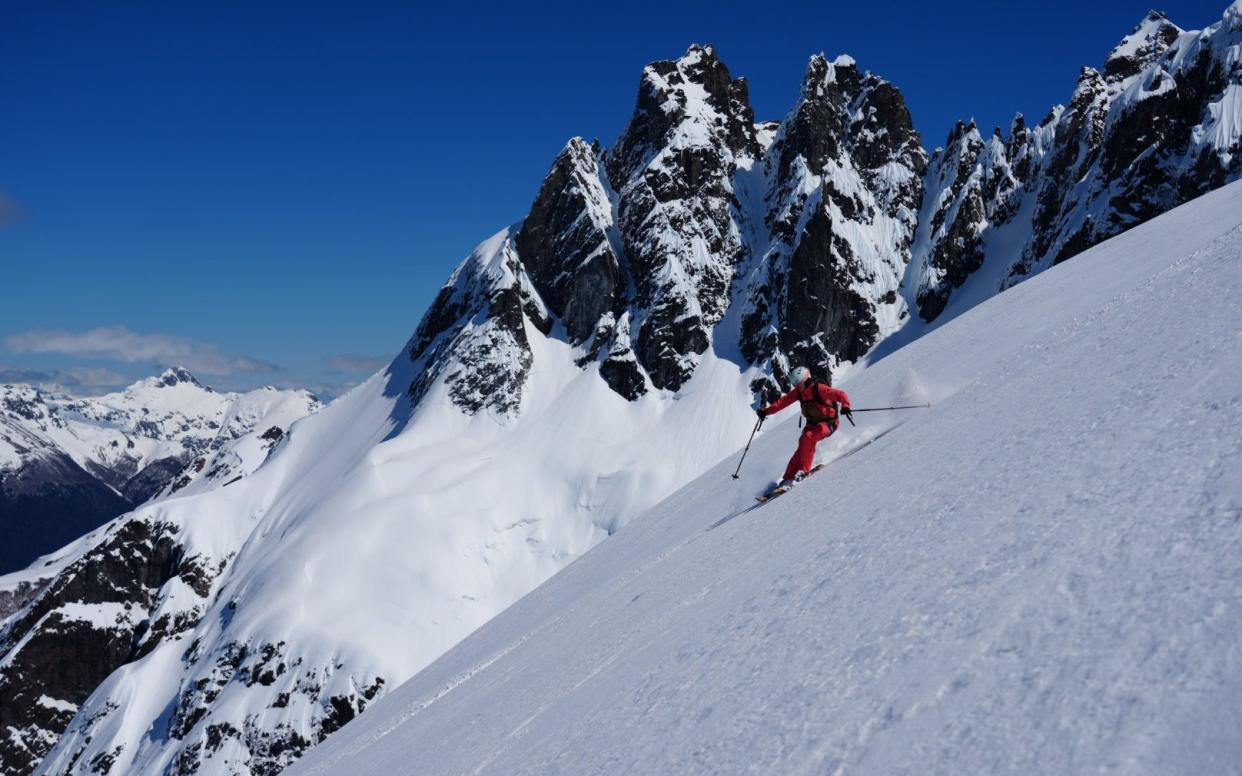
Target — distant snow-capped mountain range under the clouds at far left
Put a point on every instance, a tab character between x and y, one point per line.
69	465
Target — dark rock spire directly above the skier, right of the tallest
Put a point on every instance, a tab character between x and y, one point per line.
846	186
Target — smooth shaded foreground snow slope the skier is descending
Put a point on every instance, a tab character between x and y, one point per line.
1038	575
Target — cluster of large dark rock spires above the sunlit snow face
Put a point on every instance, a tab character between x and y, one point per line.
637	251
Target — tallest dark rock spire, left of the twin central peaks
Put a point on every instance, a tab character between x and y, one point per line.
678	215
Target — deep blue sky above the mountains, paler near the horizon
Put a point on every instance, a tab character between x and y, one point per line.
275	194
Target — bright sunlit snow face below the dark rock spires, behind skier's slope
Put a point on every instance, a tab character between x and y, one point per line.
376	537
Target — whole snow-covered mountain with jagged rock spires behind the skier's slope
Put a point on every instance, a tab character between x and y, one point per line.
578	368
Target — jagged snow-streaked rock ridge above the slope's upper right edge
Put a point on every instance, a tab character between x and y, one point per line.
1159	126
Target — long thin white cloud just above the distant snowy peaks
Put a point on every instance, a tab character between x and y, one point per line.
122	345
